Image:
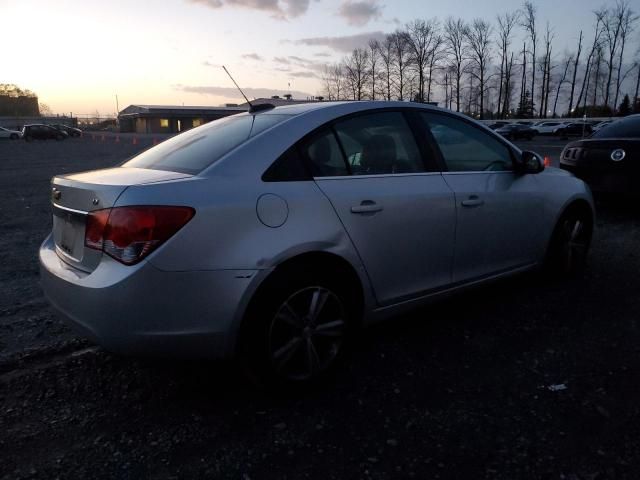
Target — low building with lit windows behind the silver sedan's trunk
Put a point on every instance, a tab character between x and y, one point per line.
170	119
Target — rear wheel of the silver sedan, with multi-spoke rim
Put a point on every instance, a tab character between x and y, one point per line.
297	331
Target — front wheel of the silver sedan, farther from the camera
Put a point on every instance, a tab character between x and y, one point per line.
569	246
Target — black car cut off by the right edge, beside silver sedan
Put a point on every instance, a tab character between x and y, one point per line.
609	161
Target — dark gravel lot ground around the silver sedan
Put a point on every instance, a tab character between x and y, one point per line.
529	378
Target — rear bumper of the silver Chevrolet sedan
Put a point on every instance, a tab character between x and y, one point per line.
143	310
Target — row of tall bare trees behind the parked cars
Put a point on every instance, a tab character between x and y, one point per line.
477	68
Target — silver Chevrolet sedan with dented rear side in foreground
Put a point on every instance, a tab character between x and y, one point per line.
272	237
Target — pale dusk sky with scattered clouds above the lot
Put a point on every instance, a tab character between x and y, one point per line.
78	55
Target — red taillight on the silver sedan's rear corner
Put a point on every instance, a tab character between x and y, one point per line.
129	234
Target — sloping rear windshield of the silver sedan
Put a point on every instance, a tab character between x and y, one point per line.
193	151
